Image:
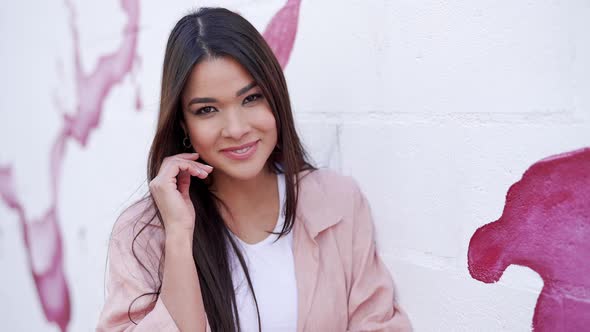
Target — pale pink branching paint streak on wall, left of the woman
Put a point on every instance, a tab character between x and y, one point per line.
42	236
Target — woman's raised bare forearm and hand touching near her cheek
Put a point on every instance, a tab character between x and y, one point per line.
181	292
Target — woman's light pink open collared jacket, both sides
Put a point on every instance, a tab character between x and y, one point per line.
342	283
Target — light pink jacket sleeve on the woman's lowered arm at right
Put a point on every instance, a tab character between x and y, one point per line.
371	302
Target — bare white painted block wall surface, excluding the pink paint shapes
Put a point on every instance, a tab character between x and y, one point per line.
436	108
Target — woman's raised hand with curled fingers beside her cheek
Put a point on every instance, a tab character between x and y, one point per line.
170	190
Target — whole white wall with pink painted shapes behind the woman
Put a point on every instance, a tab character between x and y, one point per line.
445	112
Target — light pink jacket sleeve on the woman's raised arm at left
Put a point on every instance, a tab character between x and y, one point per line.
126	280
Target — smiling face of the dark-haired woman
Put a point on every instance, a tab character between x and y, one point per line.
228	120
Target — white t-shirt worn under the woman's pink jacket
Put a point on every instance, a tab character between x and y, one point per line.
272	272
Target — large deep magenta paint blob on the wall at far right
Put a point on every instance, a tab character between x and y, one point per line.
545	226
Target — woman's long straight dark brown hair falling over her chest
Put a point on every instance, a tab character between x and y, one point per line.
205	34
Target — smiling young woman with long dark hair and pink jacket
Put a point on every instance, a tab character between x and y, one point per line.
238	230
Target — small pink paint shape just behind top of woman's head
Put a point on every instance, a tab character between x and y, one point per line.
281	31
